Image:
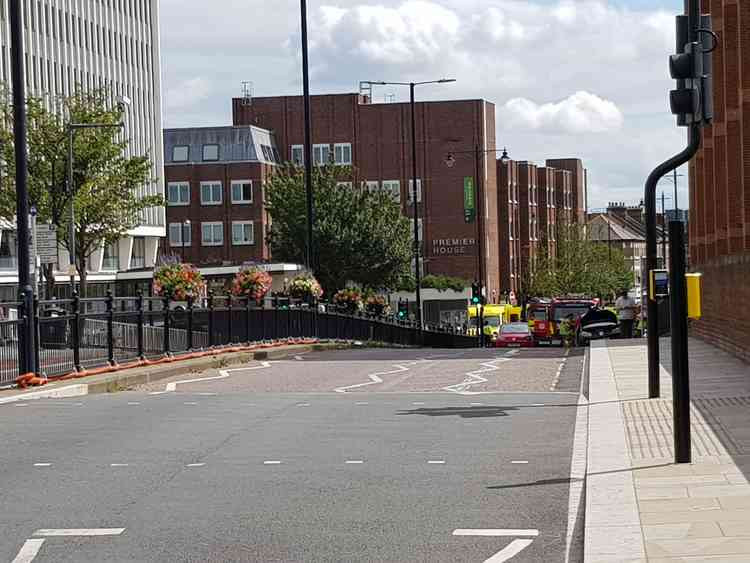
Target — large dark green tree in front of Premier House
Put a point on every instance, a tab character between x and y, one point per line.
359	236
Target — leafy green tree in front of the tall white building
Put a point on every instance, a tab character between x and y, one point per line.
105	182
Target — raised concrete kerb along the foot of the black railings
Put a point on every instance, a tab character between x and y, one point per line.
119	381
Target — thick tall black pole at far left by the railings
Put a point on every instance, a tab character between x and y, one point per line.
26	356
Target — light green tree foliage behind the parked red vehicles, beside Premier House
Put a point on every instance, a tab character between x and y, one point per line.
580	266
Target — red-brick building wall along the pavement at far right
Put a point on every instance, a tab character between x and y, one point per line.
719	228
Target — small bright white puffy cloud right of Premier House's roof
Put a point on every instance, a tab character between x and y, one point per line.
581	112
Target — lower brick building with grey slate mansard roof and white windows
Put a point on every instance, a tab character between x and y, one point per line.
214	180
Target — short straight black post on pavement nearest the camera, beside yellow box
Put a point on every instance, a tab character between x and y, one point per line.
680	367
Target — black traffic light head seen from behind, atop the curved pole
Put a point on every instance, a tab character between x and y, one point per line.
692	101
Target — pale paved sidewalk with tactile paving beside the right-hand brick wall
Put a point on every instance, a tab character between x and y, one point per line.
640	506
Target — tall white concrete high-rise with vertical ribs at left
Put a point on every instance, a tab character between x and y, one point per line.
92	44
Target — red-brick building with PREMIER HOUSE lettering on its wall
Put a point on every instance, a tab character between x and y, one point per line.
376	140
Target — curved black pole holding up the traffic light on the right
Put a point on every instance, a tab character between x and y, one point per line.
694	141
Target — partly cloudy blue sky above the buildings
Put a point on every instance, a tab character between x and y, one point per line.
569	78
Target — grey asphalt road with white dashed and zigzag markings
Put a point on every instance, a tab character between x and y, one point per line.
363	455
